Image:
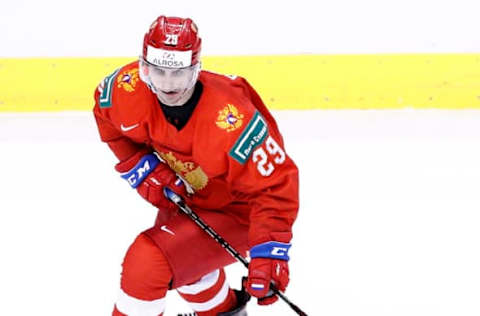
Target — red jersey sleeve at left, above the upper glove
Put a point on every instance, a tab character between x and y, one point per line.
122	146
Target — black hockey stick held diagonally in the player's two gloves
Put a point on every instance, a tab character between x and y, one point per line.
175	198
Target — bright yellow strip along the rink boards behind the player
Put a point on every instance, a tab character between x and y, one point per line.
395	81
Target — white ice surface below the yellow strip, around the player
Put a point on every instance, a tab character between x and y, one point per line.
389	219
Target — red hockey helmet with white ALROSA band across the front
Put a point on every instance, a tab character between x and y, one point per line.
176	35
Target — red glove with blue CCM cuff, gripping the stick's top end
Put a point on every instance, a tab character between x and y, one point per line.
149	175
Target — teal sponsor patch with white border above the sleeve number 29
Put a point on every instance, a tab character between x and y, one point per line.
252	136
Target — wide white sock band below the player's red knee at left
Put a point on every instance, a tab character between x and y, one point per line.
132	306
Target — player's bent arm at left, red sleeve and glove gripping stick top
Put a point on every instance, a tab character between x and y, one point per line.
138	164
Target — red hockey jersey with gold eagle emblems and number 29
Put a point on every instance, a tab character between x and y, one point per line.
230	151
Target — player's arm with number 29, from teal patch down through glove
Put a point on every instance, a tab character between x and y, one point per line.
266	175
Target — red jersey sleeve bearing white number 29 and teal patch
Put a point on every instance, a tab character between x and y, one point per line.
264	175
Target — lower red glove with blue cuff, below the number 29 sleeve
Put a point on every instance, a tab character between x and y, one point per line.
269	264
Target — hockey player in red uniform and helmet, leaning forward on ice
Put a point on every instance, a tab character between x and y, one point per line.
210	138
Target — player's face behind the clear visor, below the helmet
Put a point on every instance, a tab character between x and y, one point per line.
173	85
